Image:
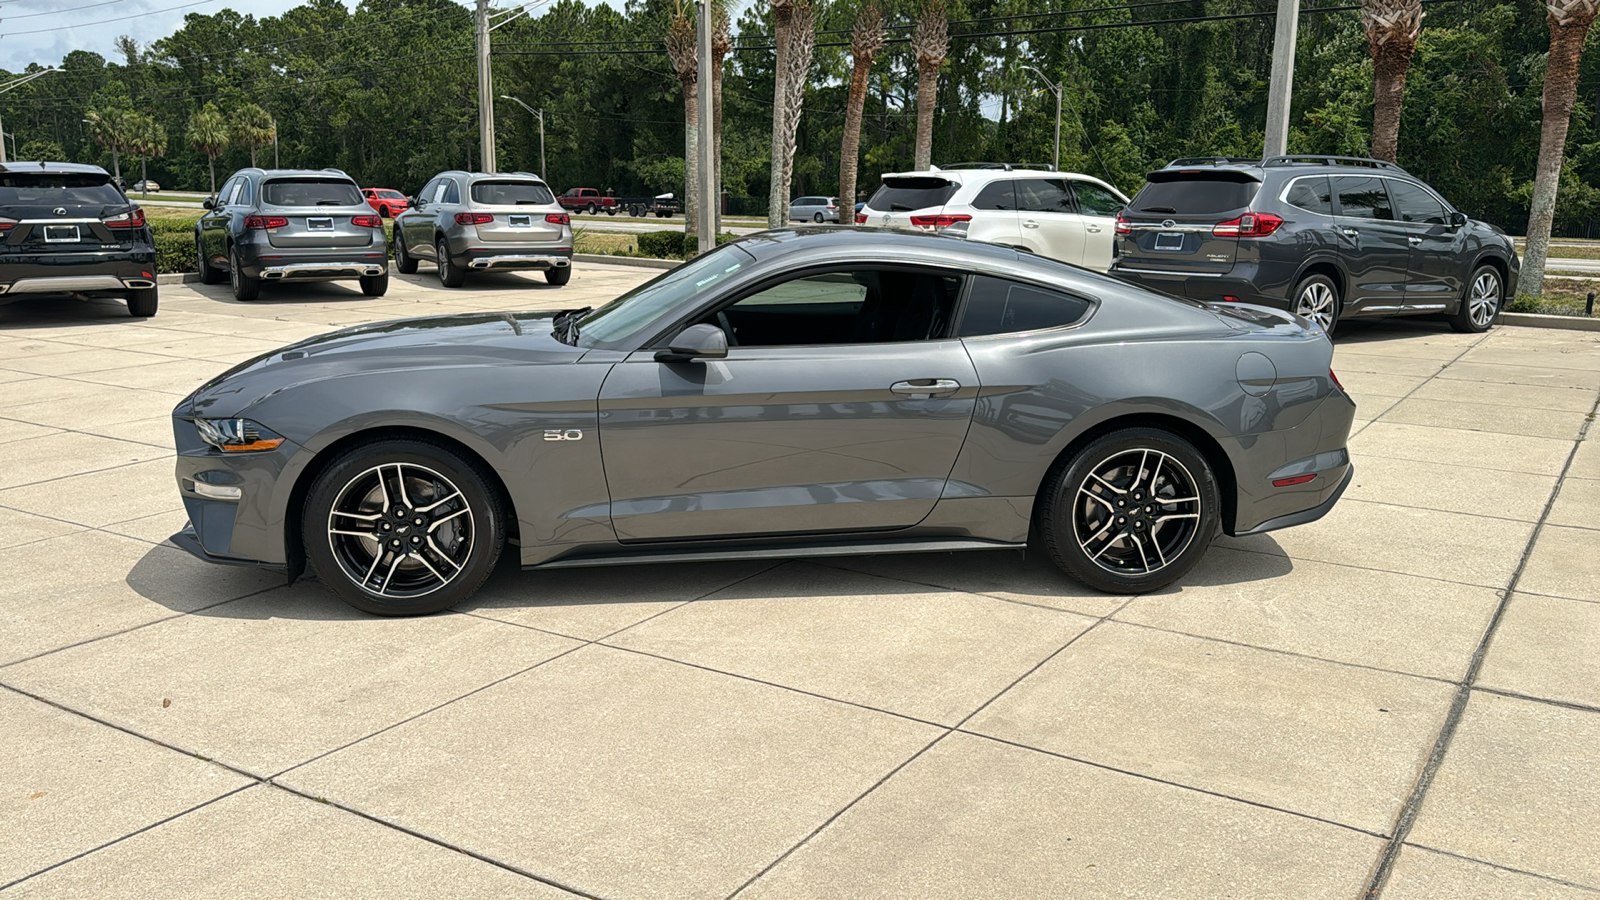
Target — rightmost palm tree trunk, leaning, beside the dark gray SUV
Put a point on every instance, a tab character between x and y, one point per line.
1570	23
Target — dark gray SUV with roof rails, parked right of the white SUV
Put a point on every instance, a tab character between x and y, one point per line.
1326	238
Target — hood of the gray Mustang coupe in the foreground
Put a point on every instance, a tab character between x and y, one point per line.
482	340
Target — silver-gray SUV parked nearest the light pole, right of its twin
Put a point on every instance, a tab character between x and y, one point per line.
474	222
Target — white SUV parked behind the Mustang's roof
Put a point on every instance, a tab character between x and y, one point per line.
1060	215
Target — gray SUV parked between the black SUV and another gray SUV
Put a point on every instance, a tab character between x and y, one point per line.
289	225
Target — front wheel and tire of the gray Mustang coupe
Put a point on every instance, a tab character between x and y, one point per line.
428	568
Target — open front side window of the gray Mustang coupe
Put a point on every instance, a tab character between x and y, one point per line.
857	307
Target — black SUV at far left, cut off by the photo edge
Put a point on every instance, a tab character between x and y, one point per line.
68	230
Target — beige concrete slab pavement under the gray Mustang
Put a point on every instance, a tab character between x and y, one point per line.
1404	694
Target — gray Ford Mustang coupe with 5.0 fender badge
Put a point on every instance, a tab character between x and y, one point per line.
796	393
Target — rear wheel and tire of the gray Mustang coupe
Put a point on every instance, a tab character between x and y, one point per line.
1097	518
